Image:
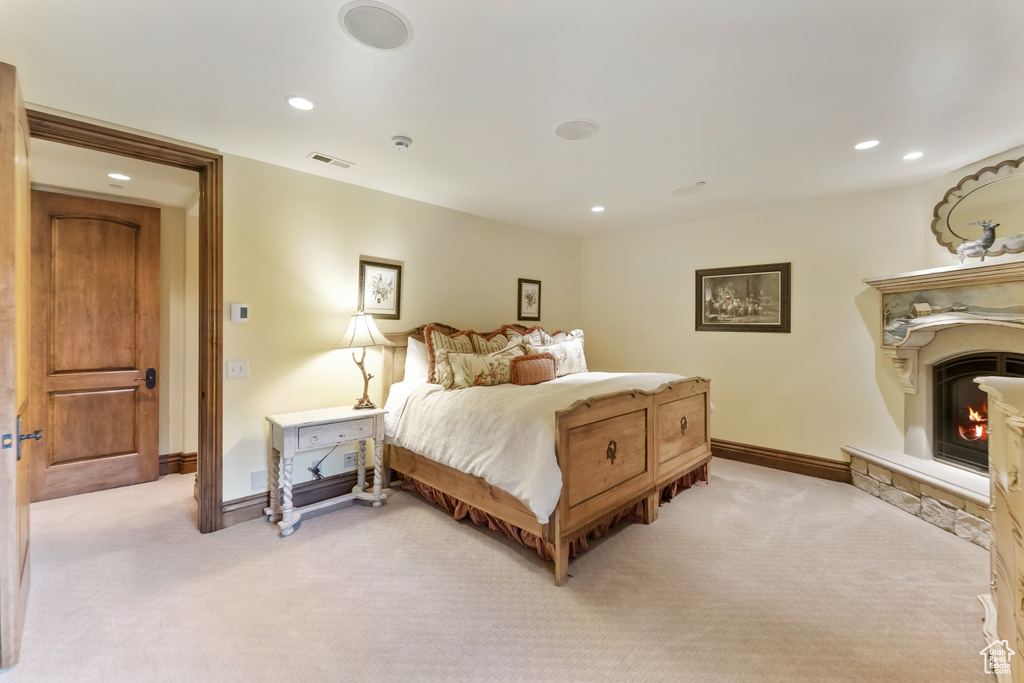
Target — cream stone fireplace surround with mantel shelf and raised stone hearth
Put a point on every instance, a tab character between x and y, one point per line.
949	497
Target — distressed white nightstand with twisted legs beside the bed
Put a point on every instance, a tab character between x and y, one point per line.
293	433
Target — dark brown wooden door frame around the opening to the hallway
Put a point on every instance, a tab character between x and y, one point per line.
55	129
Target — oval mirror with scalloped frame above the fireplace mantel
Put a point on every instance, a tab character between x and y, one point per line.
994	195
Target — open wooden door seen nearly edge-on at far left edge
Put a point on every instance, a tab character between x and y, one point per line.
15	272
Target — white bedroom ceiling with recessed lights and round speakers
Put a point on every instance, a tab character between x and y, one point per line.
762	101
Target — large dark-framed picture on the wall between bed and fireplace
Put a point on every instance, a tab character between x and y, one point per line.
748	298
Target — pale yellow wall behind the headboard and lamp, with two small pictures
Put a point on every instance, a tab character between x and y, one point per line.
292	245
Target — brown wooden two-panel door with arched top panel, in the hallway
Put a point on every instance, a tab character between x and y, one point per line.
96	326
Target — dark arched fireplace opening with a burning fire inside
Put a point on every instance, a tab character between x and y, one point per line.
962	409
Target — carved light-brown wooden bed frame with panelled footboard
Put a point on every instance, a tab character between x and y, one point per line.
614	450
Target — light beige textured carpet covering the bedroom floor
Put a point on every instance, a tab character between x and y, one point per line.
761	576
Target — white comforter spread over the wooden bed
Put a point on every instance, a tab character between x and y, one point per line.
504	435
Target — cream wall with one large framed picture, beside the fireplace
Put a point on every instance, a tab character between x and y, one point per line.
813	392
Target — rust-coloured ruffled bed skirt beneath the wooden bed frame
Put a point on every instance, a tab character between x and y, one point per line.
634	514
